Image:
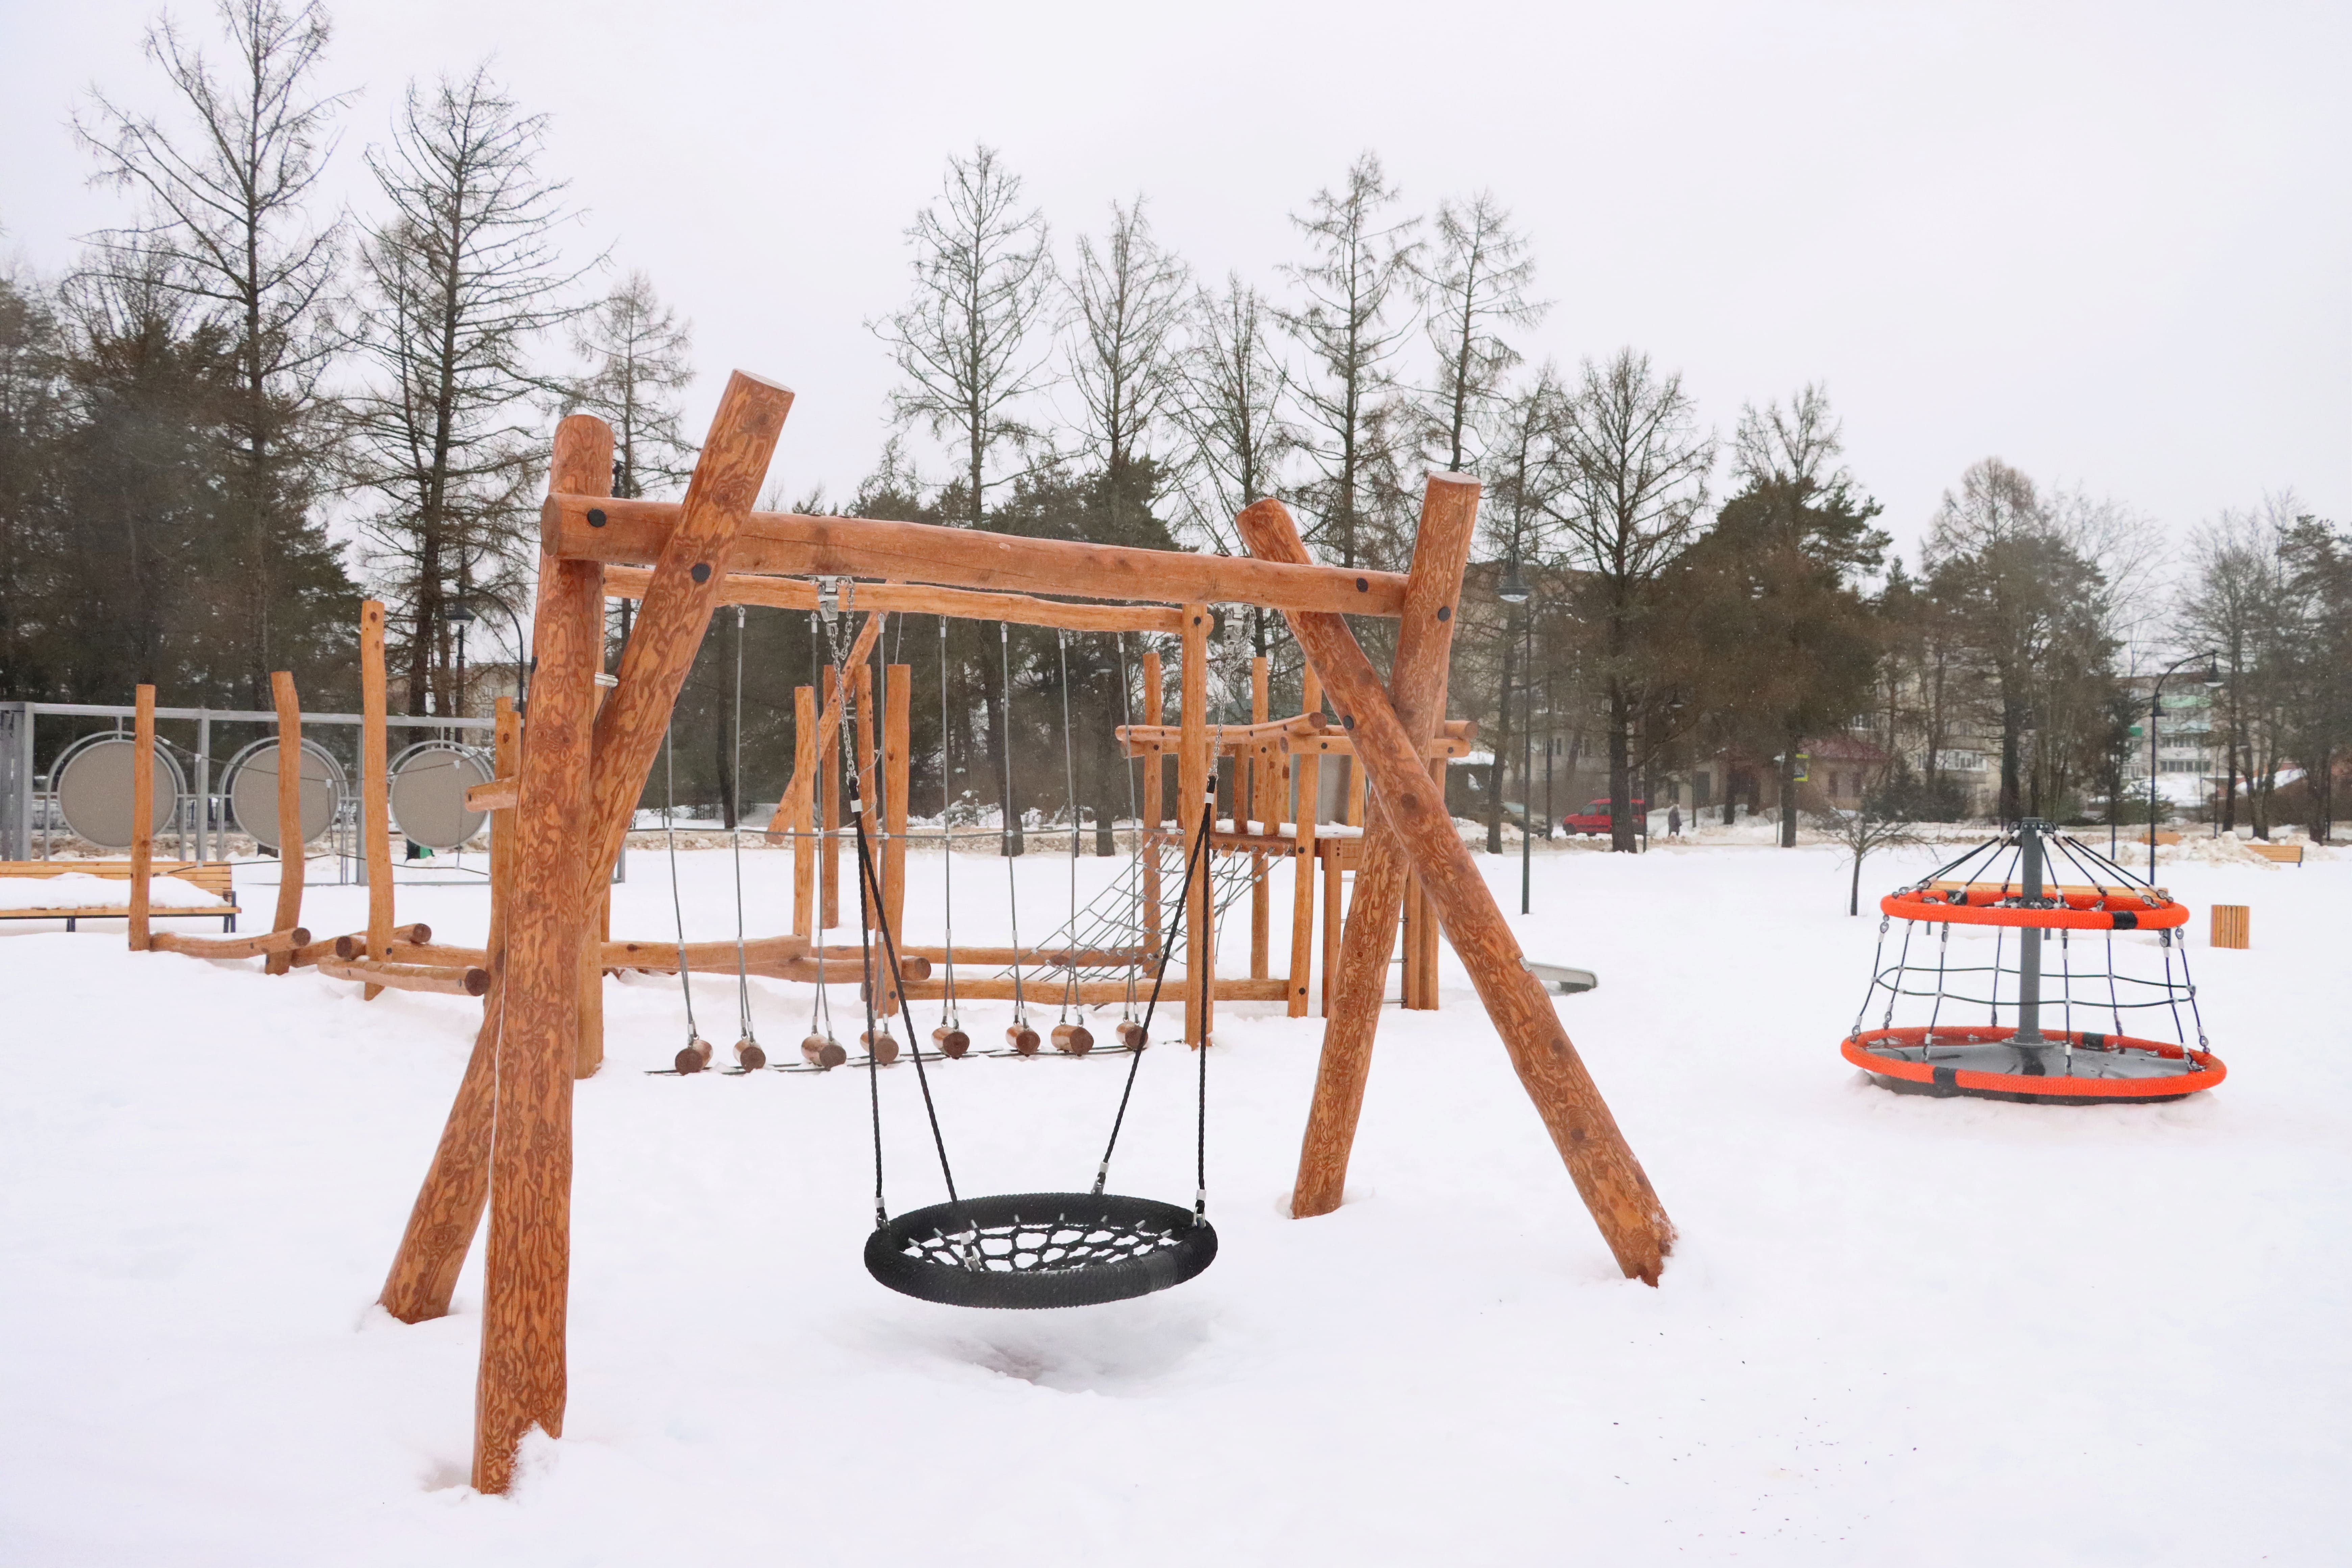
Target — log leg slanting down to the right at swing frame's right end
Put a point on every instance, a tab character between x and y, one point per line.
1603	1167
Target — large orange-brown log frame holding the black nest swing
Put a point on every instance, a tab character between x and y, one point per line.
584	770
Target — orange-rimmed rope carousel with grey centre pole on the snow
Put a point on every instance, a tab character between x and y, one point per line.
2010	1024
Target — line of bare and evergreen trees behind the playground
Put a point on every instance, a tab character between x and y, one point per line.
243	410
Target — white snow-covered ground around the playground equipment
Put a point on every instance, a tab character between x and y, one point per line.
1895	1332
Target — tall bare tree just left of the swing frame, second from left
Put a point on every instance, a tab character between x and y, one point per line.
460	281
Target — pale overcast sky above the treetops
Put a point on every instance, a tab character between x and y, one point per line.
2106	243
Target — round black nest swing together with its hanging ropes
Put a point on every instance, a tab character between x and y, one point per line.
1027	1249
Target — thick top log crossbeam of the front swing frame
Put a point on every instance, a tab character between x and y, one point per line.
784	544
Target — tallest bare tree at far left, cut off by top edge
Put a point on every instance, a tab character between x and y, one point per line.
229	225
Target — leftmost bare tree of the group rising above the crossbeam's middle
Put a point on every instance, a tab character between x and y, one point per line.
970	354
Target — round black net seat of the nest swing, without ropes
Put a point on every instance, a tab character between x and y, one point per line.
1041	1249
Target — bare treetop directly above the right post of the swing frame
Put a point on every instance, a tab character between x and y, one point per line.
1478	276
